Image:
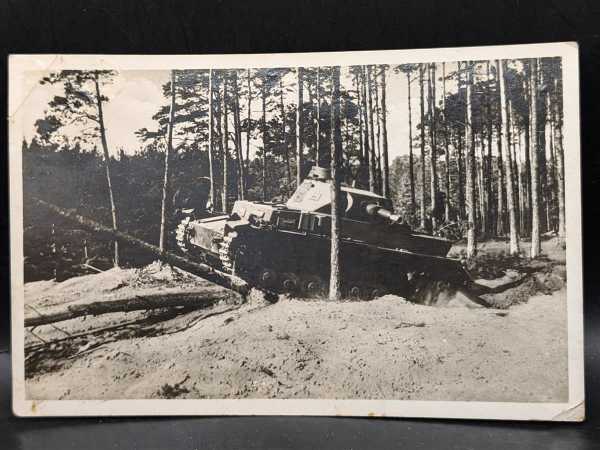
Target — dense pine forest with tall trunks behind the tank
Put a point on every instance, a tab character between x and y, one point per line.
484	151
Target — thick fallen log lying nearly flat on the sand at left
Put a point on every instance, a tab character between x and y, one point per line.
136	303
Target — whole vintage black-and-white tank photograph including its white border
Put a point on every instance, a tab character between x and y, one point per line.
361	233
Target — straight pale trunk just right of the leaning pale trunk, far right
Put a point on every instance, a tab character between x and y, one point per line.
535	174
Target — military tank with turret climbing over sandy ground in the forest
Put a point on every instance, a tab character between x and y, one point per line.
285	247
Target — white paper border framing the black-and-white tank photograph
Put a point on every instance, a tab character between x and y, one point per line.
572	410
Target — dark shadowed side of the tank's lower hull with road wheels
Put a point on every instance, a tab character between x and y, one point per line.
365	267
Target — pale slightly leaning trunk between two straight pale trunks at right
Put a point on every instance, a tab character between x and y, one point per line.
508	169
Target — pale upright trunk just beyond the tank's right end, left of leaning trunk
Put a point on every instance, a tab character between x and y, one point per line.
470	163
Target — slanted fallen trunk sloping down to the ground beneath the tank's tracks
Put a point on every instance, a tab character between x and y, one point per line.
202	270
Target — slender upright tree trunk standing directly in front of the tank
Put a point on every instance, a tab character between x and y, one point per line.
335	280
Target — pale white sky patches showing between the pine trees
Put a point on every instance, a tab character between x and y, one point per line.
136	95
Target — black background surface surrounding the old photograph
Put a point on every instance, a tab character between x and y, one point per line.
179	27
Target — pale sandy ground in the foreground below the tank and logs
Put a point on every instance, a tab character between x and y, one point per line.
385	348
